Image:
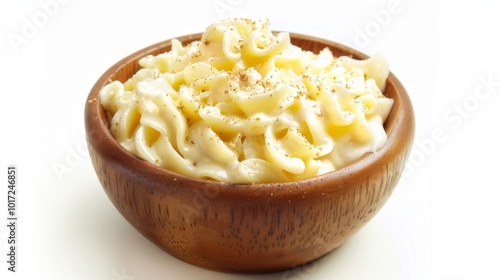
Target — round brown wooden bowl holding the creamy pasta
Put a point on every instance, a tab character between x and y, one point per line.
250	228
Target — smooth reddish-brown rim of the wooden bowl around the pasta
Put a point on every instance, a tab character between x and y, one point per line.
400	132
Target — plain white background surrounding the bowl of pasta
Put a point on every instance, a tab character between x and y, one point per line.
442	221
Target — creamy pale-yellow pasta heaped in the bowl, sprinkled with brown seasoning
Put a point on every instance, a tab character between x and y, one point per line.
244	105
